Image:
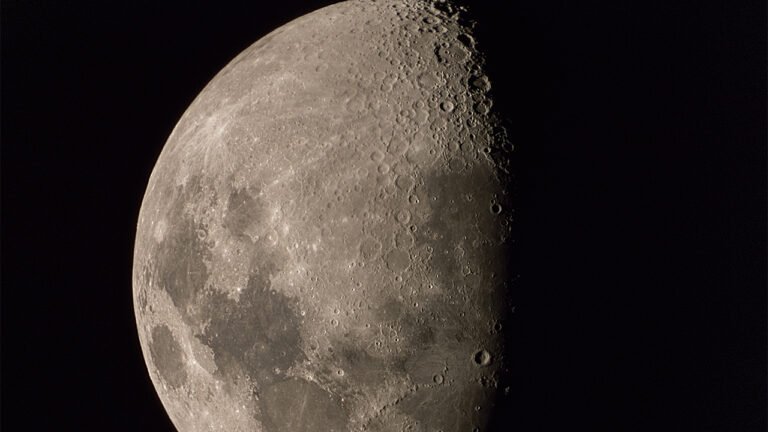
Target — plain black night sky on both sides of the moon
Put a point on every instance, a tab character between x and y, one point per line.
640	129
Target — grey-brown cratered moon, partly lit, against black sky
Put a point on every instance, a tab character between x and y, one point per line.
324	241
